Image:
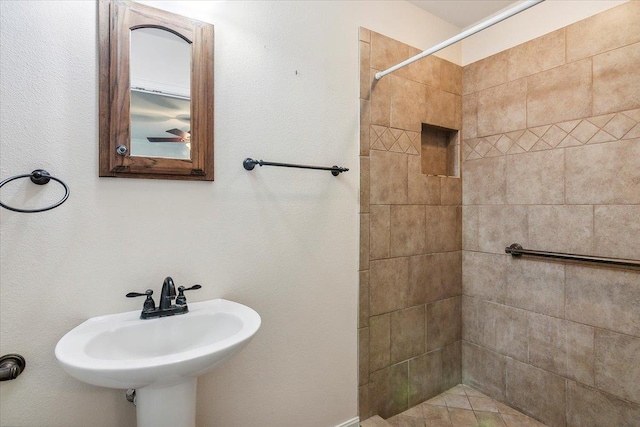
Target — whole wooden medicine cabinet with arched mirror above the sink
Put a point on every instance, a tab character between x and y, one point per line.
156	93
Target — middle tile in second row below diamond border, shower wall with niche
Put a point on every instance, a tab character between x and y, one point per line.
407	230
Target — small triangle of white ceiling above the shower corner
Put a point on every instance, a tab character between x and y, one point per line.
462	13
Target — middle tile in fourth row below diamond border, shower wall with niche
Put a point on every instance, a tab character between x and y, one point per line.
407	333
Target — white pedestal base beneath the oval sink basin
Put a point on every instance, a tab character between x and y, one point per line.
167	406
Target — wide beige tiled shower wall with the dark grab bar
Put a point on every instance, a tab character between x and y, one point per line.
551	152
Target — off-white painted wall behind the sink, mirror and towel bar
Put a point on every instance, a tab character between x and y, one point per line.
284	242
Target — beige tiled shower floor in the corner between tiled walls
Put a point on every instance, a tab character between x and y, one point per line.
462	406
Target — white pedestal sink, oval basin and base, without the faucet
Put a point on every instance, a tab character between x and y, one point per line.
160	358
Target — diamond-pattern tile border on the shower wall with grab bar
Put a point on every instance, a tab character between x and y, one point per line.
593	130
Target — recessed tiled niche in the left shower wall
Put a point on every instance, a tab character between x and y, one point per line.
440	151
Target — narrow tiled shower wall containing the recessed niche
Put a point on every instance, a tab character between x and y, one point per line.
410	259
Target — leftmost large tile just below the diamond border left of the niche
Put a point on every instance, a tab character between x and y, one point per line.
388	175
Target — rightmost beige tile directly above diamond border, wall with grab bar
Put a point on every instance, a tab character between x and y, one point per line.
616	80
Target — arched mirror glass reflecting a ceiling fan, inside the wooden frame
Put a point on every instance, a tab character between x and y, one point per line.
160	106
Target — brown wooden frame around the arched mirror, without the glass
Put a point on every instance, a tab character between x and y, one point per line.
116	20
